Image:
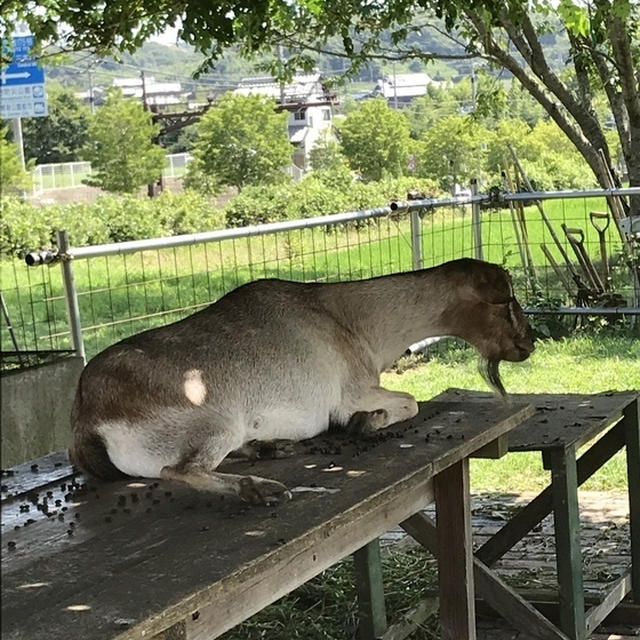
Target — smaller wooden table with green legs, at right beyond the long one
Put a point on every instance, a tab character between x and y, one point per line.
561	425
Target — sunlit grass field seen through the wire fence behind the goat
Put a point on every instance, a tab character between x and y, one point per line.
121	295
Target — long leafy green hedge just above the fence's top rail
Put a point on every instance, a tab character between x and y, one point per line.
26	227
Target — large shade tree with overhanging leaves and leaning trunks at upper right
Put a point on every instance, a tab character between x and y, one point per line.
603	34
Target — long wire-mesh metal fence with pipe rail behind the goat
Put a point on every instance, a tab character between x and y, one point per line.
563	258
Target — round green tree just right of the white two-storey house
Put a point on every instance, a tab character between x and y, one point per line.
375	140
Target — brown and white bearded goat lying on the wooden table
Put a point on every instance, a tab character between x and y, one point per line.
276	361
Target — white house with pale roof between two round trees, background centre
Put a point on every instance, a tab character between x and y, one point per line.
308	102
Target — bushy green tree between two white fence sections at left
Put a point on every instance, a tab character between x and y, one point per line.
121	149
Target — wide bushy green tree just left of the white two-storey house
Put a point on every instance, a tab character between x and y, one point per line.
241	141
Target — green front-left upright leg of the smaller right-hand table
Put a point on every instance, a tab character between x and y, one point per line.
566	515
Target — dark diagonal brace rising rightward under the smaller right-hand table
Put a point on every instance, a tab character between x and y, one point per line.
541	506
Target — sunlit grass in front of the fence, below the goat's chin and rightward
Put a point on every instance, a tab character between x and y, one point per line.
582	364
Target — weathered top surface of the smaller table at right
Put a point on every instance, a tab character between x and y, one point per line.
560	420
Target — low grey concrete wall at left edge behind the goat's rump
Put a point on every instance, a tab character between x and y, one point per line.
36	404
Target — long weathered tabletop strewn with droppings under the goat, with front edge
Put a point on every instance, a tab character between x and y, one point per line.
129	559
